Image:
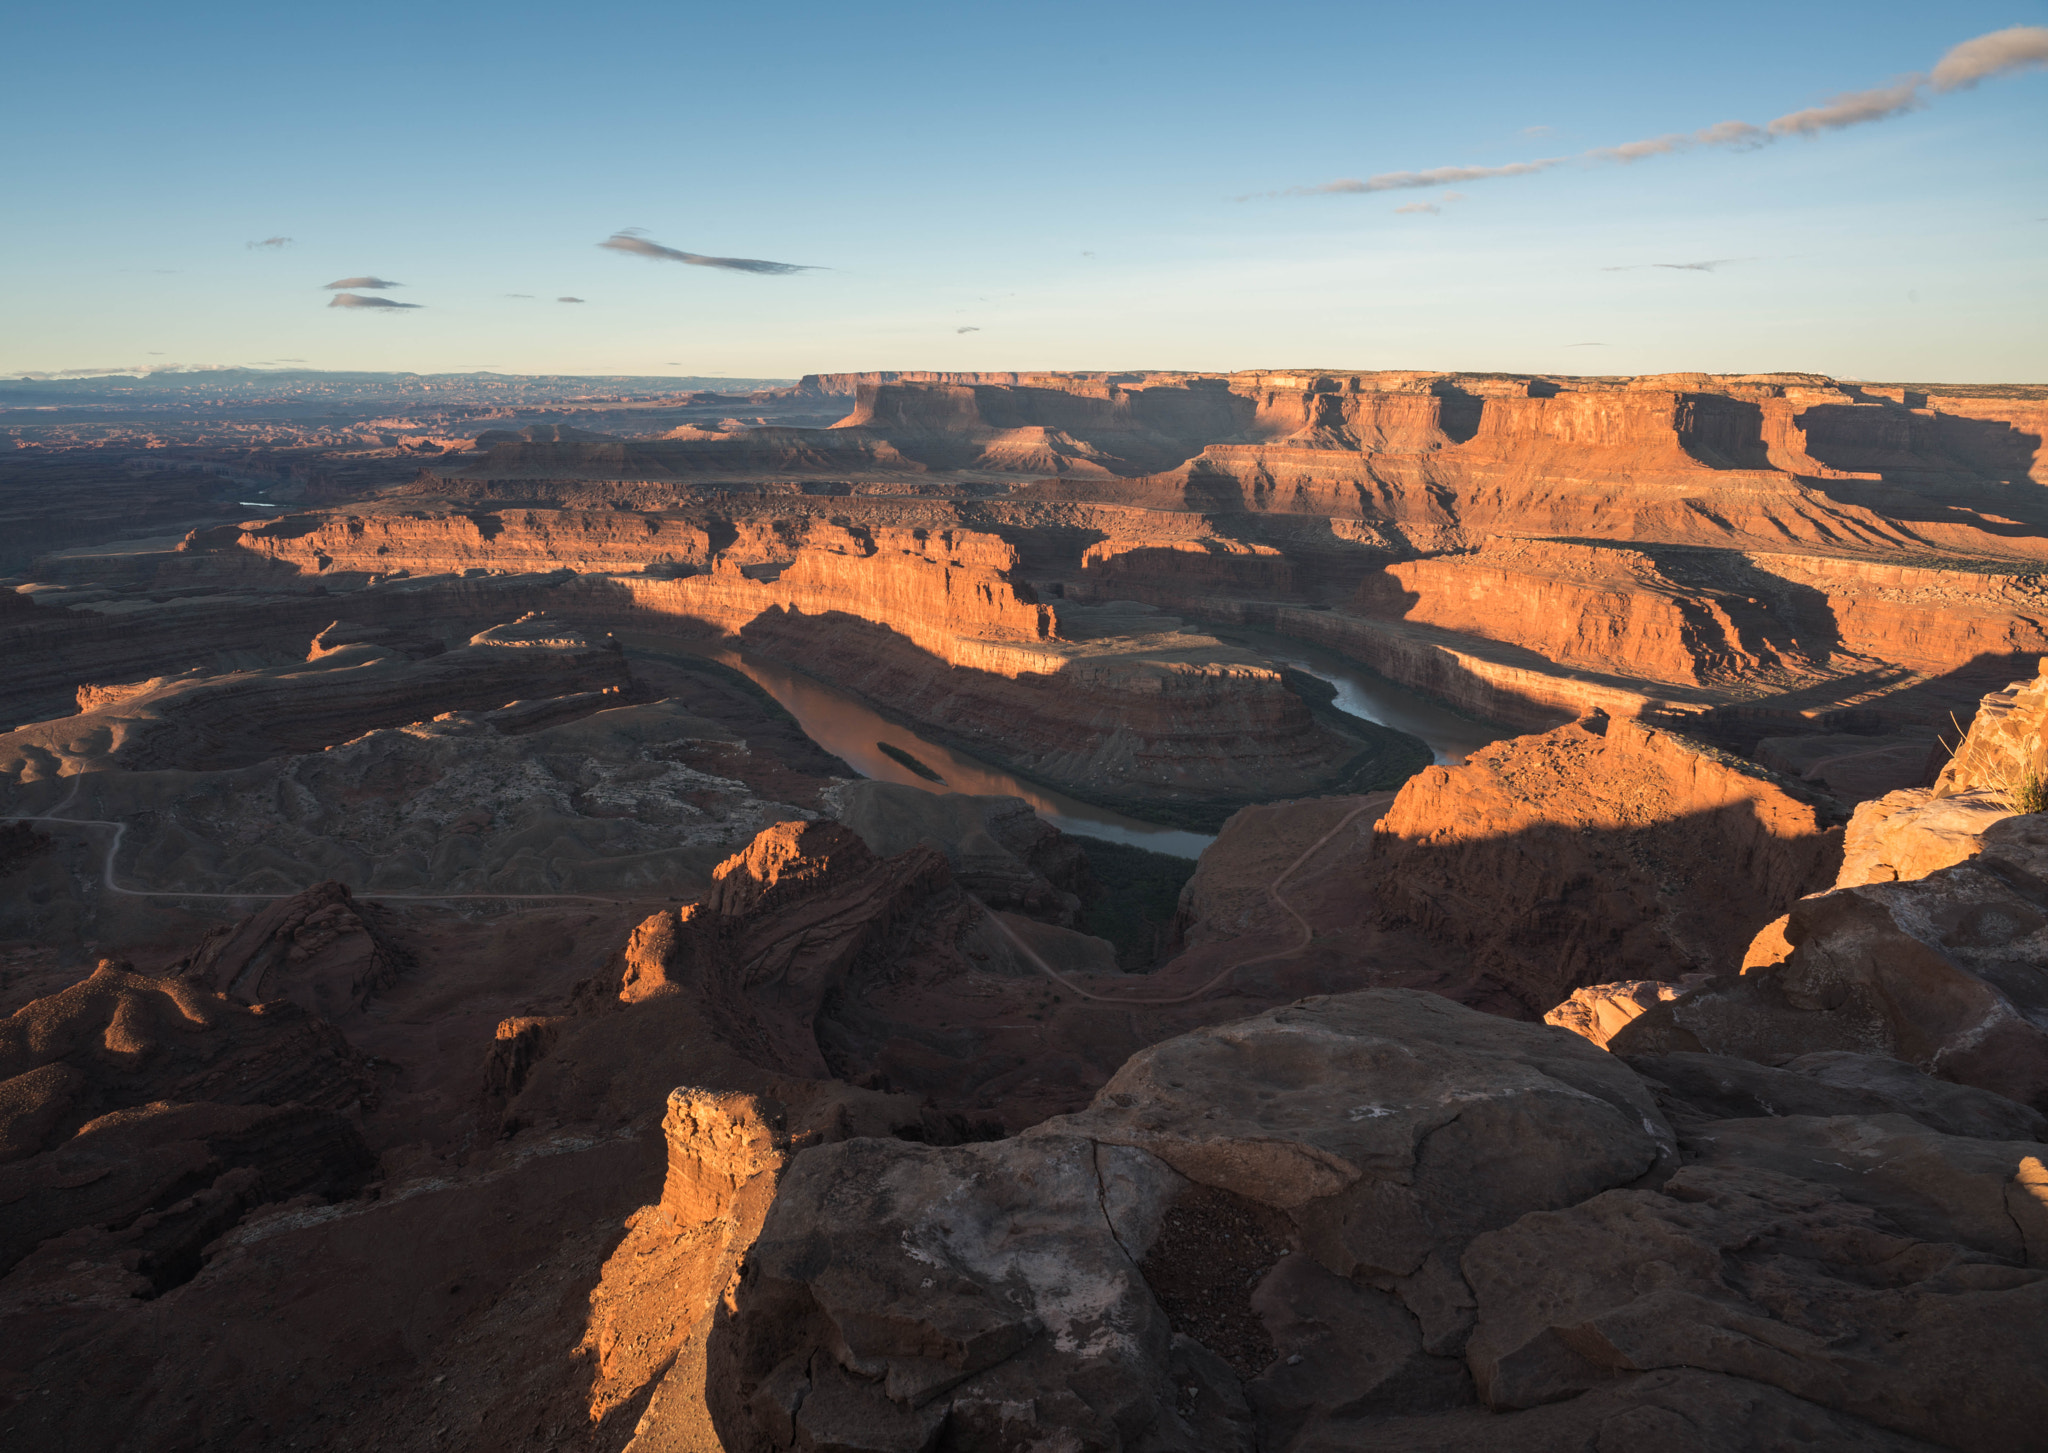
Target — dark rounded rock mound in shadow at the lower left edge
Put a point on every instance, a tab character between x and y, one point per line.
142	1118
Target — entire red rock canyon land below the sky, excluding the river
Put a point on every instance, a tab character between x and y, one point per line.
447	1005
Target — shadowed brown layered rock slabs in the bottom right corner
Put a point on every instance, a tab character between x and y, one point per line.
1777	1280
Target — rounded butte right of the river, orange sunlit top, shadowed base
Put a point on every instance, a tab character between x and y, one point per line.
1594	854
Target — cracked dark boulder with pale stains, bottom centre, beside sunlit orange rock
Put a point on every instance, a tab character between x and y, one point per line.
906	1298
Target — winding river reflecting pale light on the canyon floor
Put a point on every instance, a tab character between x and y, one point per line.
855	733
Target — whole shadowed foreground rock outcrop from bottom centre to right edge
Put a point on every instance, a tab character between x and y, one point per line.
1365	1294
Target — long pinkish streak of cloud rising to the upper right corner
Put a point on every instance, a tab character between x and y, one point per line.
1967	65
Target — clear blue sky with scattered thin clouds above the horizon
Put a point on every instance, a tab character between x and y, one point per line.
1052	185
